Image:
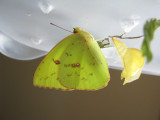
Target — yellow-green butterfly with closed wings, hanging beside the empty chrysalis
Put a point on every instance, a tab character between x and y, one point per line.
76	62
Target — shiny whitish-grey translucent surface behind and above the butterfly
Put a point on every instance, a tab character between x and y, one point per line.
26	33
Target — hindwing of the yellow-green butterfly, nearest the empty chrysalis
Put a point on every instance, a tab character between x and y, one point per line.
84	65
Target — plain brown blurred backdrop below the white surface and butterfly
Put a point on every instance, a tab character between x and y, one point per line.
20	100
